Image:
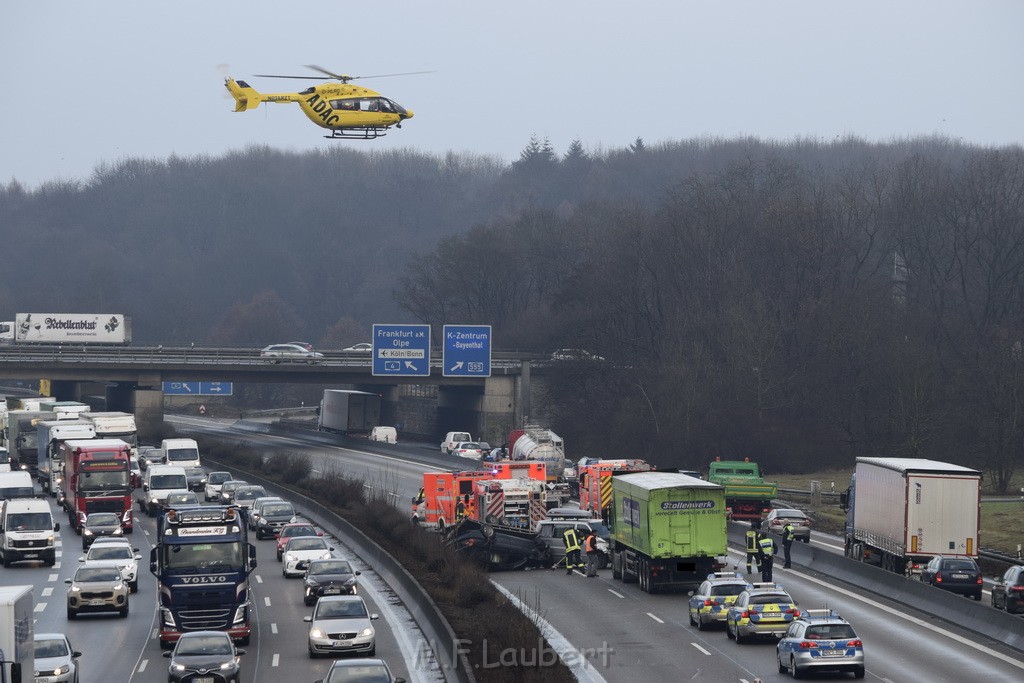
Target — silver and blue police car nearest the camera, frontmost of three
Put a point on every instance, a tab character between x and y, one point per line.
821	641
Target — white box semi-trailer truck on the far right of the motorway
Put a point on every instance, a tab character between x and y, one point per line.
904	511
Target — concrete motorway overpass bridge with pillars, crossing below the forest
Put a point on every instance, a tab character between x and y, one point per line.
135	377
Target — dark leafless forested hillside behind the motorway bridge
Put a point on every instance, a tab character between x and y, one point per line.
798	303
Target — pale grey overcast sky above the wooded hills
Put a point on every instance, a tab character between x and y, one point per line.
91	82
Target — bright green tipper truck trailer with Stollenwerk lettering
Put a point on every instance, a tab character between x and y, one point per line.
668	530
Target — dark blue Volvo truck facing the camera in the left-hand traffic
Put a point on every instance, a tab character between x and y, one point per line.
202	563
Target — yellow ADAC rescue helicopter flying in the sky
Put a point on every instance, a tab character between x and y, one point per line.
348	111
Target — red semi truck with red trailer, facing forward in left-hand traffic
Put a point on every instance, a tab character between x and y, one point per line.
98	475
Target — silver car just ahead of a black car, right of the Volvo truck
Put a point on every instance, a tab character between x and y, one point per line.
342	624
